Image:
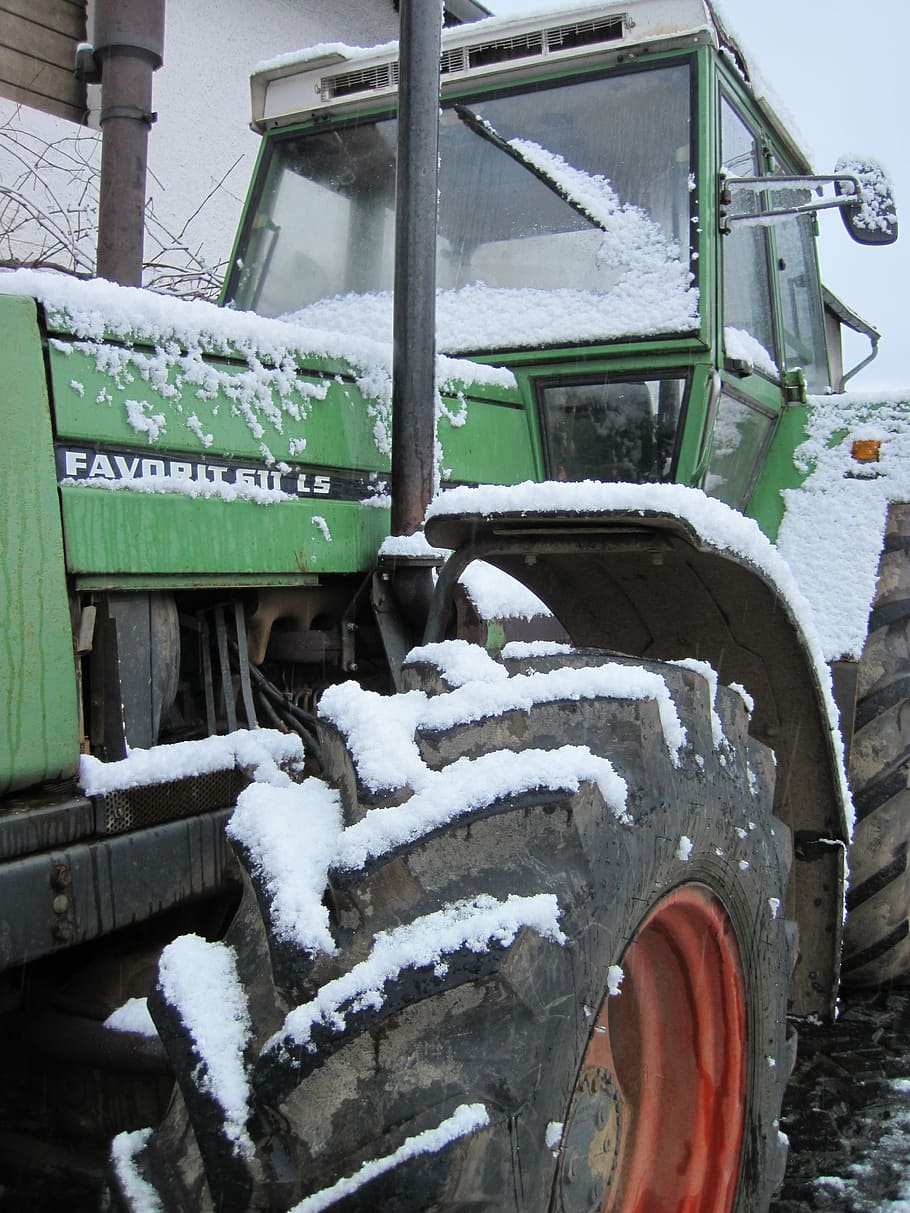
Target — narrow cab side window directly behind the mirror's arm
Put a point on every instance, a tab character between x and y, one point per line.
748	315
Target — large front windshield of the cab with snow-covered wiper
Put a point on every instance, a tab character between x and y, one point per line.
565	217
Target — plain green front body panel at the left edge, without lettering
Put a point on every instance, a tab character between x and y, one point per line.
39	732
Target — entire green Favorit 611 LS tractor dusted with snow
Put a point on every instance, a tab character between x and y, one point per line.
471	855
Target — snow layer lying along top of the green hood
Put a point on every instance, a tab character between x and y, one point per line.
181	333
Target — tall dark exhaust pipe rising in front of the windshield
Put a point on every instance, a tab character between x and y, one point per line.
414	333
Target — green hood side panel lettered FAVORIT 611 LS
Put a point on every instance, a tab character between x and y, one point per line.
123	413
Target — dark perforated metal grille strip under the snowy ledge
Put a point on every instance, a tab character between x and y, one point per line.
136	807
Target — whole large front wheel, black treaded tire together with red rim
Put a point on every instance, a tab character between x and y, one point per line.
686	899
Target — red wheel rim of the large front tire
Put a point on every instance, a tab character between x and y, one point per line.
658	1115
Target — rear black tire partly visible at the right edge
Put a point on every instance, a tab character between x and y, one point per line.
878	933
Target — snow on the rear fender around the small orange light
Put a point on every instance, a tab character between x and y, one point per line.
833	529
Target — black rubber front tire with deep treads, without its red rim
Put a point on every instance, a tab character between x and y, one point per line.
507	1028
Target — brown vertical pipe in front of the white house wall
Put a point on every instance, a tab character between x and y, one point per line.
129	47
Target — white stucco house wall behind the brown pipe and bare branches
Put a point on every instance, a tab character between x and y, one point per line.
202	96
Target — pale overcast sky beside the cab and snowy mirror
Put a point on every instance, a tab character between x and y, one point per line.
840	72
